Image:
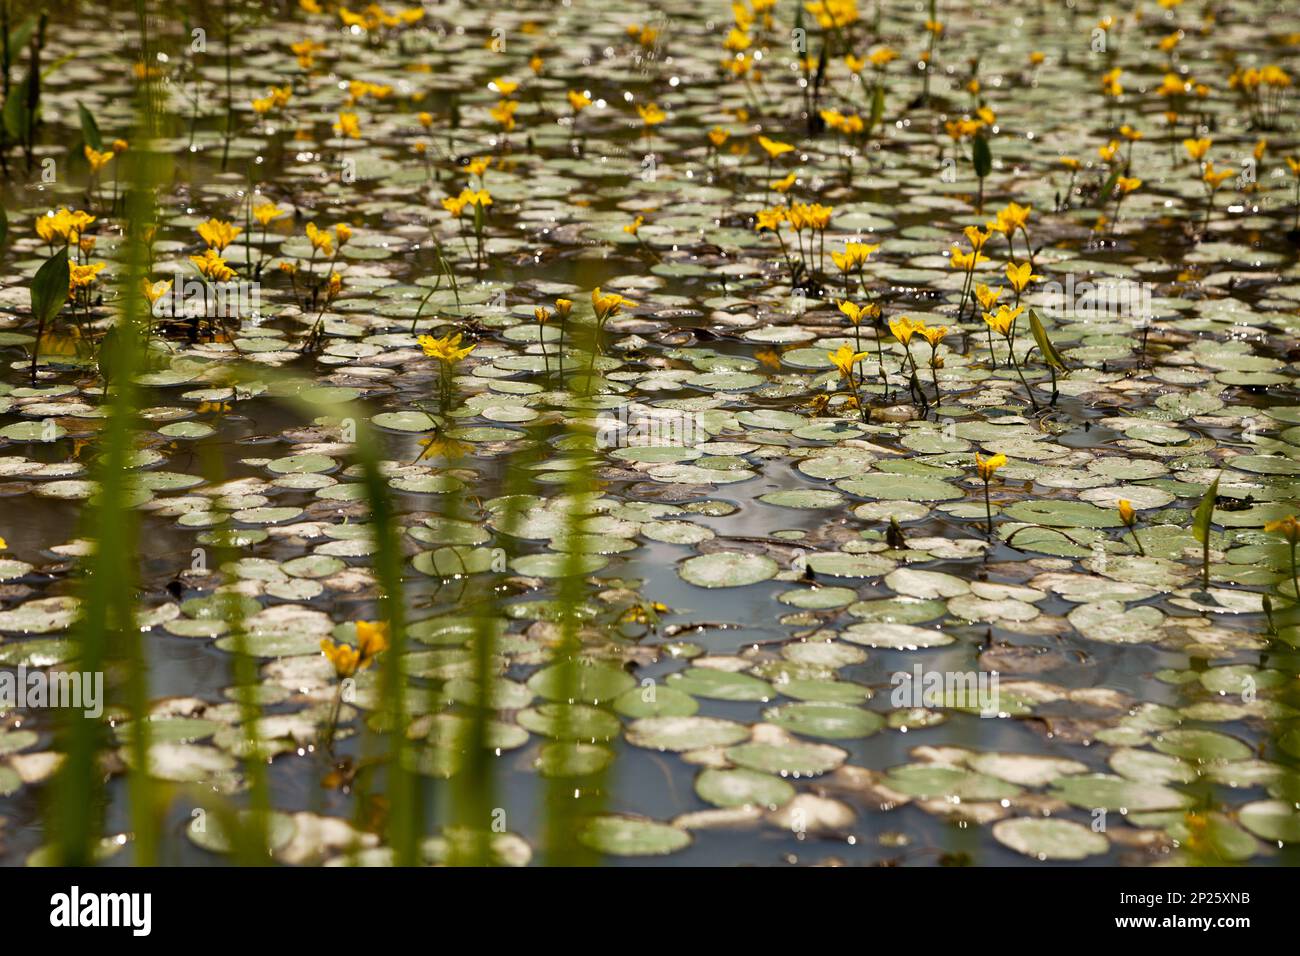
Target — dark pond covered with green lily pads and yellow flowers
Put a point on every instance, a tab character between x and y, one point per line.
682	650
